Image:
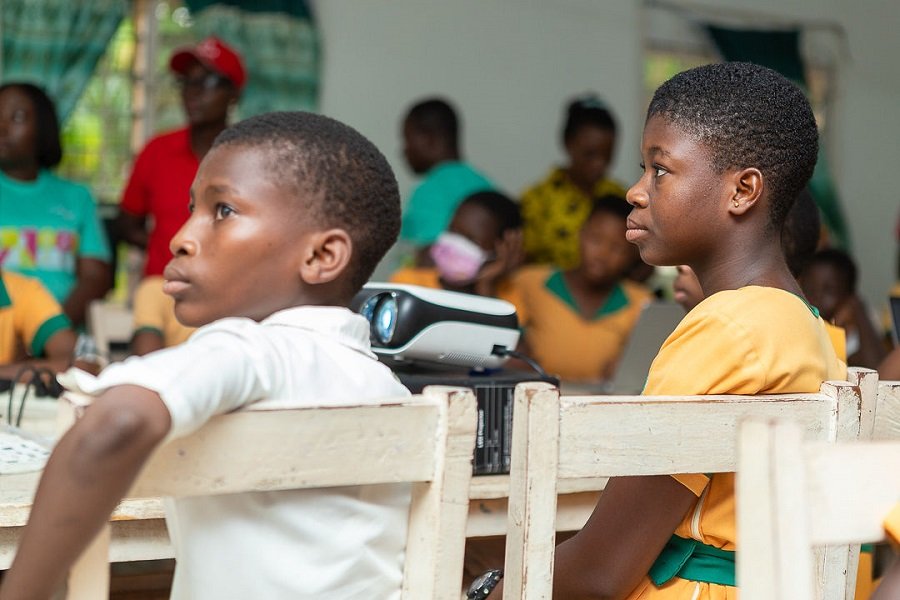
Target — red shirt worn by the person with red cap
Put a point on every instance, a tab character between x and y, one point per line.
159	188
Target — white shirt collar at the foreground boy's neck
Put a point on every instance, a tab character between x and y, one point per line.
334	322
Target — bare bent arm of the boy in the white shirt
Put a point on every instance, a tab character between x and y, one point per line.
90	470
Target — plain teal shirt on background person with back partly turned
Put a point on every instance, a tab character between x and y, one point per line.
431	206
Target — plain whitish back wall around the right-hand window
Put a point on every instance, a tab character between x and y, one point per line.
510	65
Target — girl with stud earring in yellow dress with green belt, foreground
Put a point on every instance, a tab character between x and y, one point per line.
726	149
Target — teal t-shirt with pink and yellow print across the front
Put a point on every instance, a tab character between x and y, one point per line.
45	226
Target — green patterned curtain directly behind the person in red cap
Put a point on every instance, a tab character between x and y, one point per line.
279	43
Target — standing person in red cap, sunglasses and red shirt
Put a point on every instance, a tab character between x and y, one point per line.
155	202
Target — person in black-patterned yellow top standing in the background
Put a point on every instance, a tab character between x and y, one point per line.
554	209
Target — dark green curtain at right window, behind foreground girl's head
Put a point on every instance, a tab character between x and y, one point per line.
780	50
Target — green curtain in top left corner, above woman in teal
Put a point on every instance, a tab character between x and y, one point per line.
56	43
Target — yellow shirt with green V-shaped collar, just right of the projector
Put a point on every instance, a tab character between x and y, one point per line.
564	342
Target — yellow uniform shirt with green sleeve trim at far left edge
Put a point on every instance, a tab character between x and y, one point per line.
29	316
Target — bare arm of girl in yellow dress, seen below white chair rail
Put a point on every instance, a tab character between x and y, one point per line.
631	524
